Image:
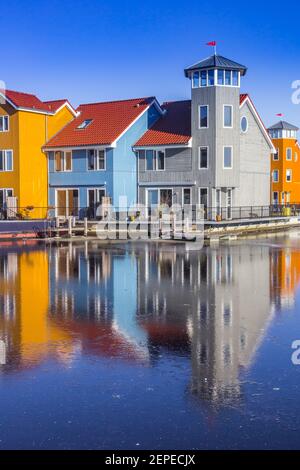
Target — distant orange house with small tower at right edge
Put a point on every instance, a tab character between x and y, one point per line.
285	164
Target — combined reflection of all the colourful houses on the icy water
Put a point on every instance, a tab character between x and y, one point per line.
142	304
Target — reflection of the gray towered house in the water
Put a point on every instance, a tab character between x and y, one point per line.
215	302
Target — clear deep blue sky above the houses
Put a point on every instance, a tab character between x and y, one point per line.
101	50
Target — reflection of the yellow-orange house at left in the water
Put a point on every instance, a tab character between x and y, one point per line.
24	299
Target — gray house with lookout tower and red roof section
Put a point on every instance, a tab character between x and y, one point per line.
212	149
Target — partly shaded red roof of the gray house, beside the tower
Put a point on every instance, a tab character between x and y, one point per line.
172	128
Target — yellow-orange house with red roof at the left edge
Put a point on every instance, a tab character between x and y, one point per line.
26	124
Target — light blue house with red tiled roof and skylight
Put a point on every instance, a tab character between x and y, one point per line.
92	156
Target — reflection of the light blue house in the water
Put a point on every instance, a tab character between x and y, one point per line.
90	290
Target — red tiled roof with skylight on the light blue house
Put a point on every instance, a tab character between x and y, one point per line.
109	120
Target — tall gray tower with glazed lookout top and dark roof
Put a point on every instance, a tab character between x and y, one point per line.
215	127
